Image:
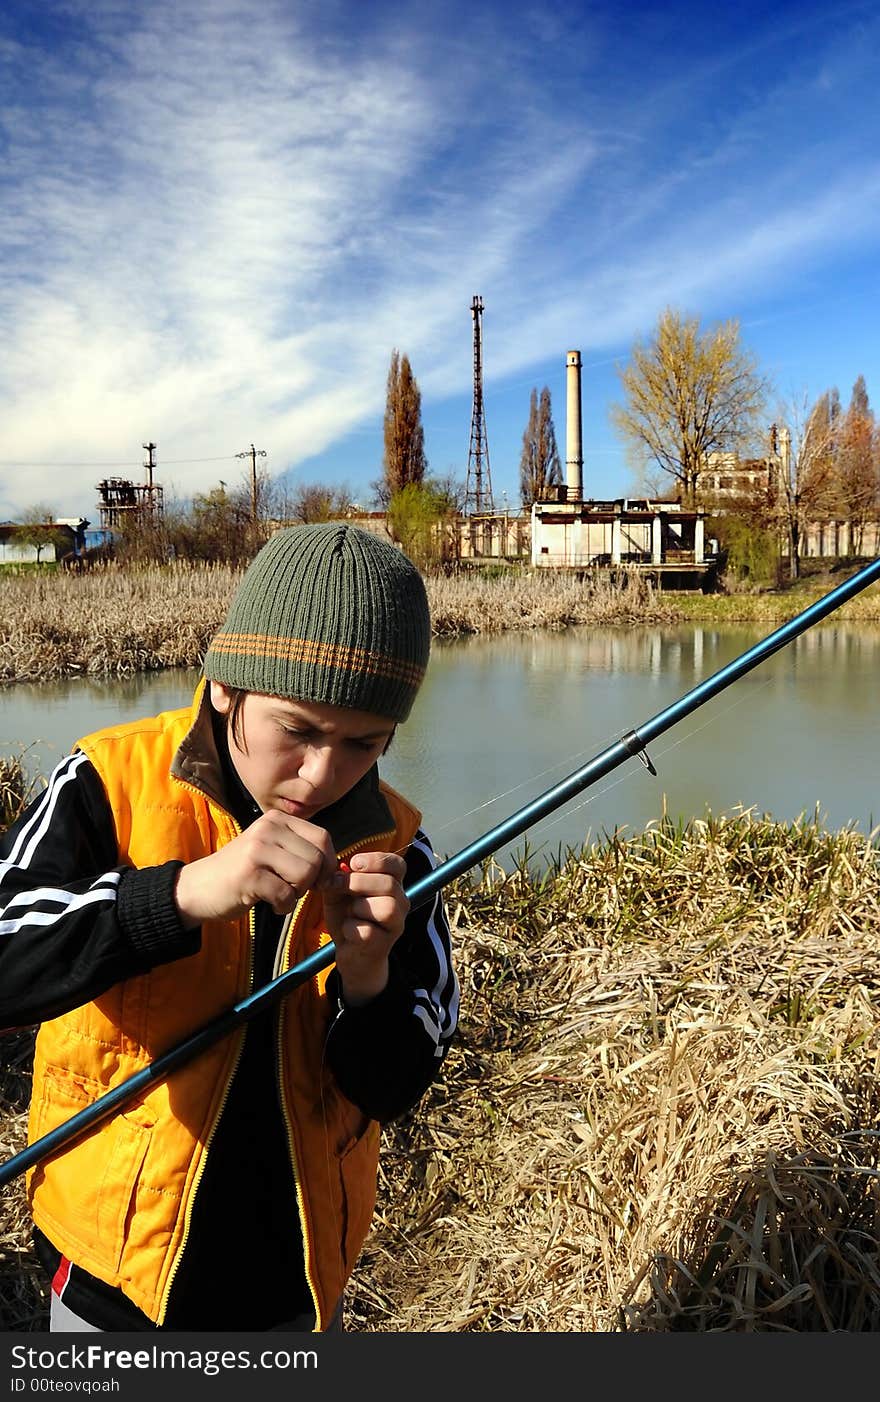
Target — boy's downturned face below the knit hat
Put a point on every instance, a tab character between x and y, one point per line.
301	756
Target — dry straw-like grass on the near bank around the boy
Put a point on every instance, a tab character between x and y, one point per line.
659	1112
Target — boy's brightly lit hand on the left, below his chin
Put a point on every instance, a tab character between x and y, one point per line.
278	859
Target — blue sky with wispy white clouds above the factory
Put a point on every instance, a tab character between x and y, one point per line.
218	219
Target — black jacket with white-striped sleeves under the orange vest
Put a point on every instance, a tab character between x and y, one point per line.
74	923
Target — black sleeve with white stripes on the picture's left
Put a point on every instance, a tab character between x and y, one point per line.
75	922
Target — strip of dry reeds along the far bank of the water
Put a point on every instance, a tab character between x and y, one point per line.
117	622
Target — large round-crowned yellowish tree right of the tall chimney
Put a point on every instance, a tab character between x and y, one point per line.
689	393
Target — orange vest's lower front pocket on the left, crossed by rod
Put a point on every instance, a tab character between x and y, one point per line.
89	1187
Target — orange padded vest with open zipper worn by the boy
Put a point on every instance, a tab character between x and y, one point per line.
118	1202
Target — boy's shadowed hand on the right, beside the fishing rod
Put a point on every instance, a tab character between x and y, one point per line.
366	911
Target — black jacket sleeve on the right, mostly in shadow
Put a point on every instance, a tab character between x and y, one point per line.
386	1054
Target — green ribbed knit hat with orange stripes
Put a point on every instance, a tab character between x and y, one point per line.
327	613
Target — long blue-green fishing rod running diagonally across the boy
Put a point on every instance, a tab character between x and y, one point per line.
634	744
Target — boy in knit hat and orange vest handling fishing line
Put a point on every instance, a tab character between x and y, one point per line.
170	867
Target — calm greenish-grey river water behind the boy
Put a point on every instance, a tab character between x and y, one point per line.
502	720
